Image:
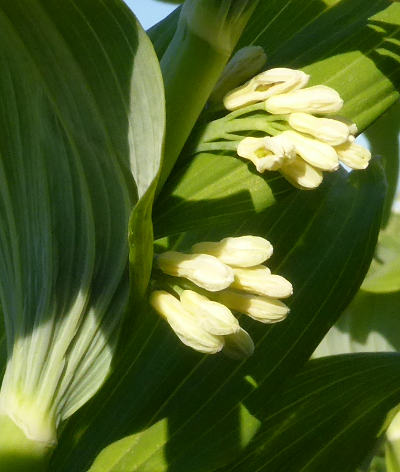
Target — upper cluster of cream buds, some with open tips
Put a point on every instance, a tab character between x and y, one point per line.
302	142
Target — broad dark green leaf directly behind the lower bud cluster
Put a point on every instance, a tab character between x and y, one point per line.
326	239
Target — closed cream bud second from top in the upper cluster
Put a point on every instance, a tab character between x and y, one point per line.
318	99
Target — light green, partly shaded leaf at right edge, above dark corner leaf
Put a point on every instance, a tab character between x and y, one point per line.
372	321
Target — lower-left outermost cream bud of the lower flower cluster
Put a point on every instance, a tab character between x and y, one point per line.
184	324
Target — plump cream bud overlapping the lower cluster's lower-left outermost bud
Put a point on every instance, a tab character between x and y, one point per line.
212	316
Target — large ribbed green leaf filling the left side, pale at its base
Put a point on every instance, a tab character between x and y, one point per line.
79	81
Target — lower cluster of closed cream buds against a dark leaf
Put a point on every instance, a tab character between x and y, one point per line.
226	276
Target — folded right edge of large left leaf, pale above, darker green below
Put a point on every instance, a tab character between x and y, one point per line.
146	141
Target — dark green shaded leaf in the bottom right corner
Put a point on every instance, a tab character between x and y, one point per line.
327	418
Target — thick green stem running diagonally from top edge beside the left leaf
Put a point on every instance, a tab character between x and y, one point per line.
207	33
